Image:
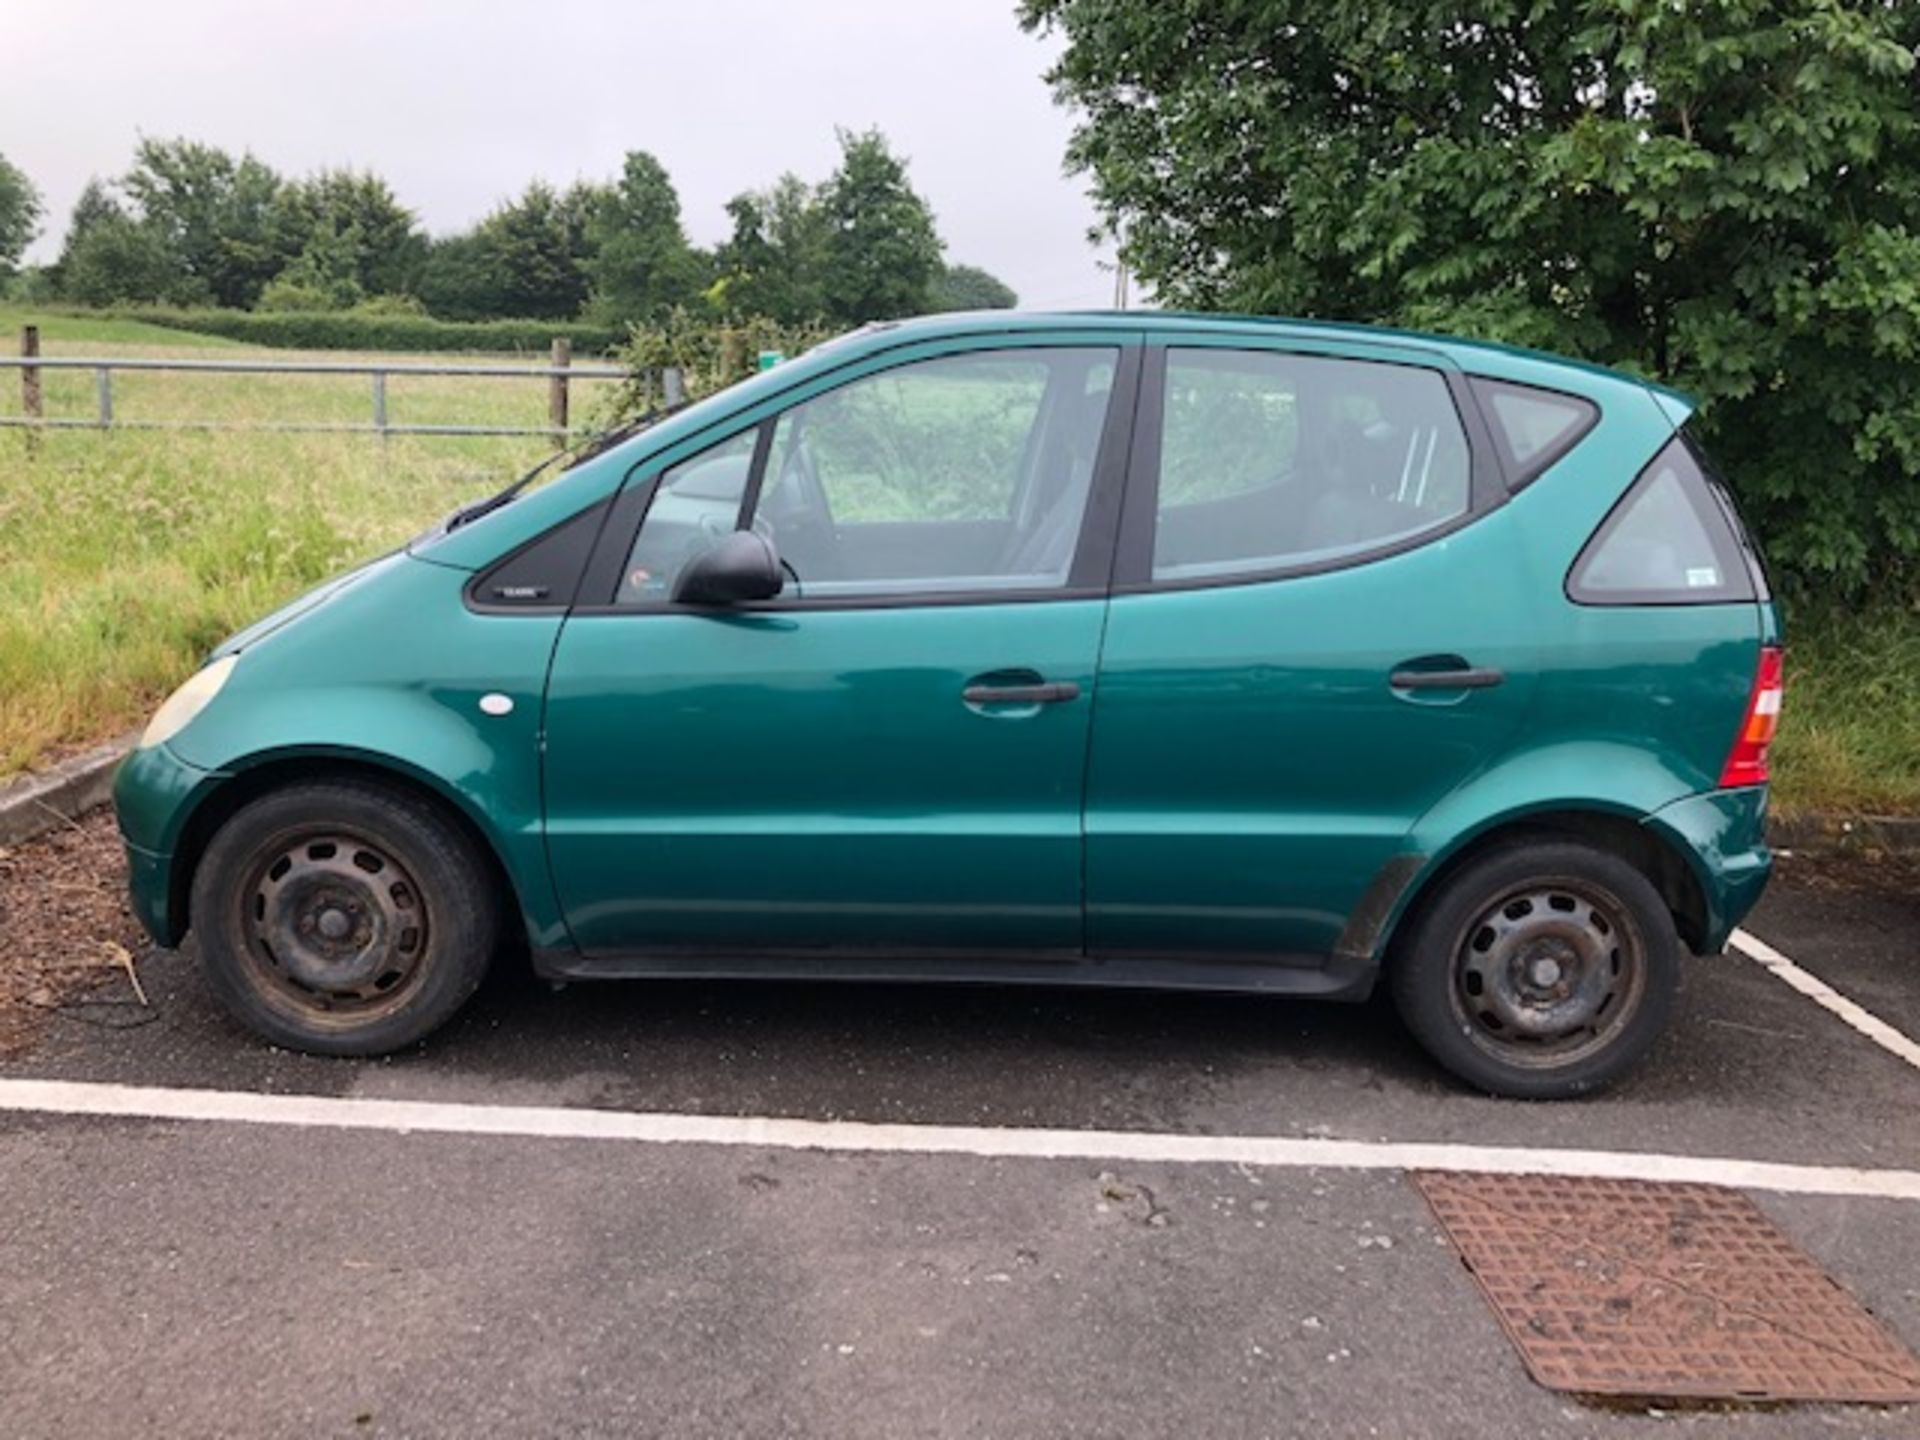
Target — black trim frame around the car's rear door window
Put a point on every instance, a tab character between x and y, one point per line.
1134	569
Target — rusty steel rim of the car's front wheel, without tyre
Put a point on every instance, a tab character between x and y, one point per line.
337	924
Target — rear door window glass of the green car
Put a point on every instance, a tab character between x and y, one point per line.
1272	462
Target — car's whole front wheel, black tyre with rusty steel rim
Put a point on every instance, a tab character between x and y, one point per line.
343	917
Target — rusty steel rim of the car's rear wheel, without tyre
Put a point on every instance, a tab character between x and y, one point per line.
1548	974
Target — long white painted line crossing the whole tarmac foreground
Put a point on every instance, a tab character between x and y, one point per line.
775	1134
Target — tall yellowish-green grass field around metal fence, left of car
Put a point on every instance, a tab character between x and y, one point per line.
126	556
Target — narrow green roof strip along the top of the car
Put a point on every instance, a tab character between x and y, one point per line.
1472	356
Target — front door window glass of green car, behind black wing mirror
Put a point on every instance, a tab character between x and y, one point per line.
967	473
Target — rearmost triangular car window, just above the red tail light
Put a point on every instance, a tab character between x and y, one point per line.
1671	540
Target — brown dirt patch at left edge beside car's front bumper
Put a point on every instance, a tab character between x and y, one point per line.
66	930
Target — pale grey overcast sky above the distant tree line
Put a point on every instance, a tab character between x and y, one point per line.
462	103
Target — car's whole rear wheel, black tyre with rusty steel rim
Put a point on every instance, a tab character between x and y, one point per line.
1541	971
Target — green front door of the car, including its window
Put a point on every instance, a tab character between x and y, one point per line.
892	754
